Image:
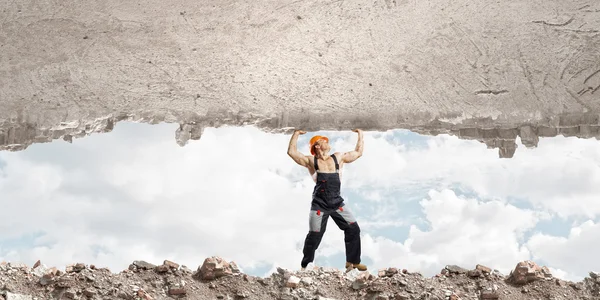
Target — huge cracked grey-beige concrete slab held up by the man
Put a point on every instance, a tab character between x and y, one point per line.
489	70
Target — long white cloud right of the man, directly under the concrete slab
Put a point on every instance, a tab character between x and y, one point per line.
561	175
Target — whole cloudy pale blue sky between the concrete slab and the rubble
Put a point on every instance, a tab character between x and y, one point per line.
422	202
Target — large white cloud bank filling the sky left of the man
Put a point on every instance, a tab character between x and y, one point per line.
235	193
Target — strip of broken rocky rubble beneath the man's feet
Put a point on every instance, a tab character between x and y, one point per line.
219	279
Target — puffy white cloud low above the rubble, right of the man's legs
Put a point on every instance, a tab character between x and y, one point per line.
462	231
